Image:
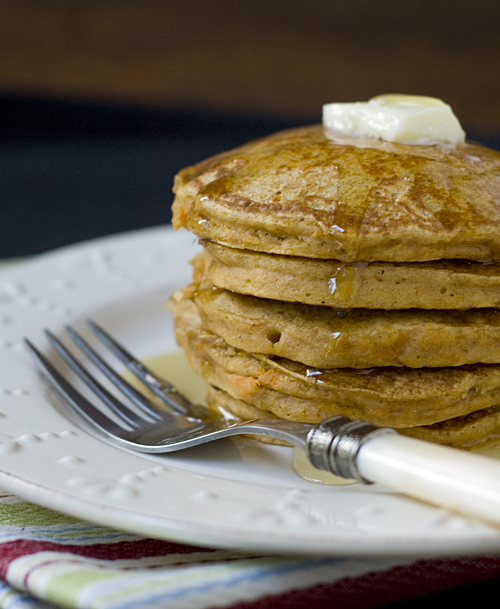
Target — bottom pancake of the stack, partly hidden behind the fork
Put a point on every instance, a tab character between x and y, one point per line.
467	431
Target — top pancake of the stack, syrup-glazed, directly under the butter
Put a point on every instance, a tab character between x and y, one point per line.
301	193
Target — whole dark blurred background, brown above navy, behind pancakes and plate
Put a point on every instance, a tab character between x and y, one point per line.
102	101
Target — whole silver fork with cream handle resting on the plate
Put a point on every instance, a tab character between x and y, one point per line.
462	481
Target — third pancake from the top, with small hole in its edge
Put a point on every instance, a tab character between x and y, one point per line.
328	338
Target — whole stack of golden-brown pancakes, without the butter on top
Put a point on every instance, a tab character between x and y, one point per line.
346	276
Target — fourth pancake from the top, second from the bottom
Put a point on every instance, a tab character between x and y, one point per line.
388	396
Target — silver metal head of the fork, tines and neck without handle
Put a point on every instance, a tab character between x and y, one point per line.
145	426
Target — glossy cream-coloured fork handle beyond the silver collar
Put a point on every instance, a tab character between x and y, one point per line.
462	481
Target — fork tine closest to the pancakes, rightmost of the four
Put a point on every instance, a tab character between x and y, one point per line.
162	388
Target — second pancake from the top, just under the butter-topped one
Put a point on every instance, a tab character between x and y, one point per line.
444	284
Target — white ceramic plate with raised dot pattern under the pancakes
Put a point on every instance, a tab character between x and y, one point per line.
234	493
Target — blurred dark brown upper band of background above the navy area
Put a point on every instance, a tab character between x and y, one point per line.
276	57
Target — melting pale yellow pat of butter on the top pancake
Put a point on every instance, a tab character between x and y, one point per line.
406	119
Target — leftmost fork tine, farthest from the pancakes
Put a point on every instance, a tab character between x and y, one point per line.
80	404
